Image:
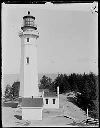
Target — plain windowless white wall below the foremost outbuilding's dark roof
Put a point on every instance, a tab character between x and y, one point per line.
32	113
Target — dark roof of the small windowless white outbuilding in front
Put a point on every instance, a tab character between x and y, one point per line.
32	102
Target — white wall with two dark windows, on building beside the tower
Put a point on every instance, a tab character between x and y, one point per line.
50	102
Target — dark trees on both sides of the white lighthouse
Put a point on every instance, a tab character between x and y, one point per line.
85	84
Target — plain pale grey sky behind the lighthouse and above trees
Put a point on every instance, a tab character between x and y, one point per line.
67	43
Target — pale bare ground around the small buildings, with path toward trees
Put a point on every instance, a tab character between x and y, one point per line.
55	117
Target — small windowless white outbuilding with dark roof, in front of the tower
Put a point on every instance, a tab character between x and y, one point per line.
32	108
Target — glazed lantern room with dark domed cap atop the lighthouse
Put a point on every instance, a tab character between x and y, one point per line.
29	22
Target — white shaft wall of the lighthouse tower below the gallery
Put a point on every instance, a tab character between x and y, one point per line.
28	72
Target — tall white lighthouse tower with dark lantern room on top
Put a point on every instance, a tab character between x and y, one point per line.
28	68
